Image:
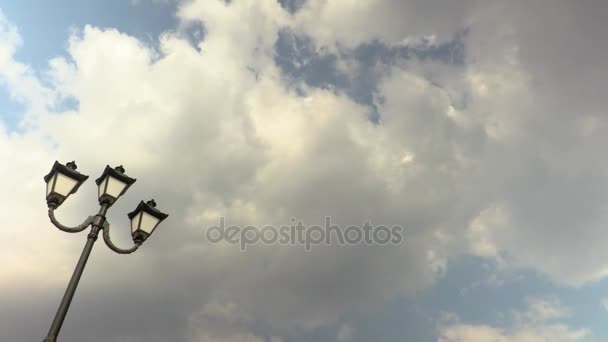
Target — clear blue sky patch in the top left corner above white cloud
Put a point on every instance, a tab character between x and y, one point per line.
45	27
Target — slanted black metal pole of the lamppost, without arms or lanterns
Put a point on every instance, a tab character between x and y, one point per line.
71	289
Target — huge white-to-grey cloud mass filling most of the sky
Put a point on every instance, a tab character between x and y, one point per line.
495	157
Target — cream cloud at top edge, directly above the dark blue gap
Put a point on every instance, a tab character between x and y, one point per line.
351	23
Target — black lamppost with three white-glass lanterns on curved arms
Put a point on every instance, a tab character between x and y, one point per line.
64	180
